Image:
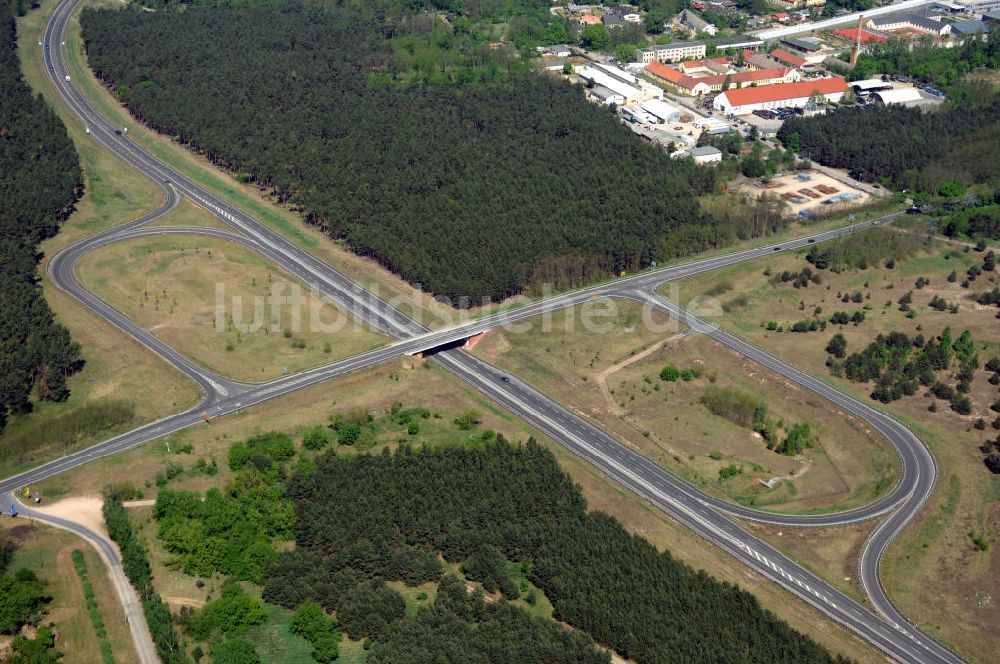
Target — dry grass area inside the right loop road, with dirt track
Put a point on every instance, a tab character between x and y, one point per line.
613	379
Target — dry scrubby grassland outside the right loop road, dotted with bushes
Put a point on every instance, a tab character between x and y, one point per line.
934	569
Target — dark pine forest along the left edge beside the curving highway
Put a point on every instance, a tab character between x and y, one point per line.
40	180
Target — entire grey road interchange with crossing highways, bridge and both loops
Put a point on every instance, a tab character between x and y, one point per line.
709	517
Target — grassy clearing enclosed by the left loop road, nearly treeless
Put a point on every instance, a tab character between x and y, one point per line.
171	286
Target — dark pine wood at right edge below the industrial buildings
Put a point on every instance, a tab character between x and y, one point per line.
906	148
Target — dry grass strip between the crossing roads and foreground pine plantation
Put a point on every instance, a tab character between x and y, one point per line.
410	383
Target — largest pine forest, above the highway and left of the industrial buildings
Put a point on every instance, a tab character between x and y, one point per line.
472	179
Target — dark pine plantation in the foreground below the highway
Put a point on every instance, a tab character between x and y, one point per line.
366	519
